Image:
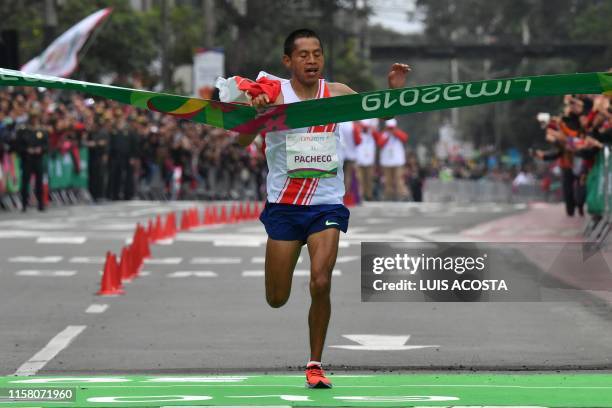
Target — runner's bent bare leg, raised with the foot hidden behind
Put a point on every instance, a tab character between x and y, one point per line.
281	258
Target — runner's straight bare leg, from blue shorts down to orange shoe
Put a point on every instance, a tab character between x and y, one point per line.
323	249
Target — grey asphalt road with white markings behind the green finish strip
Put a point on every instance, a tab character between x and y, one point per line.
201	307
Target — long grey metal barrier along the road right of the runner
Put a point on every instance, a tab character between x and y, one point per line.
477	191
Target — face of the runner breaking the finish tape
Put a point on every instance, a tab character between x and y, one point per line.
306	61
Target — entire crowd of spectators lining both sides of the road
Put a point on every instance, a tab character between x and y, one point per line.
133	152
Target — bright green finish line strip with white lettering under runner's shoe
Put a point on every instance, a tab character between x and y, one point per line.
376	390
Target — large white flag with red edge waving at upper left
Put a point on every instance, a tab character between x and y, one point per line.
60	58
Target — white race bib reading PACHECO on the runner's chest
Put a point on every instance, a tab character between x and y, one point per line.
311	155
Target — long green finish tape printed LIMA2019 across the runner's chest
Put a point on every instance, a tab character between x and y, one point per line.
376	104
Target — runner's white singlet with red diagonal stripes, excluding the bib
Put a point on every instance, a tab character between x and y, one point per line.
300	191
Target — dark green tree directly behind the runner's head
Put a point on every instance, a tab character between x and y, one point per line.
257	44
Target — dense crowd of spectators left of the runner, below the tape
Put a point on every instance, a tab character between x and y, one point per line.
131	150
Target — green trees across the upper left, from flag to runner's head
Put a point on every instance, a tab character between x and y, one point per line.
129	41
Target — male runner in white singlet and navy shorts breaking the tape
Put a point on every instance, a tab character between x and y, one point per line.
305	189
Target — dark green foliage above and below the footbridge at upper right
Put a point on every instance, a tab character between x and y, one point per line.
504	21
